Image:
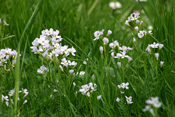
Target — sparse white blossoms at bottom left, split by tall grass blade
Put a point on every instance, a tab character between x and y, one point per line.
11	93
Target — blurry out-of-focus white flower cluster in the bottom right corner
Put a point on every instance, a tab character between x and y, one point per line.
153	102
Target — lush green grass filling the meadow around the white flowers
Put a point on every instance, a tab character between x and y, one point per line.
77	20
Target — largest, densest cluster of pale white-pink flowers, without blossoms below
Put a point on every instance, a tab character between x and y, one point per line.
48	45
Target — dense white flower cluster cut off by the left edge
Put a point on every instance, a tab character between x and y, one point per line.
7	55
